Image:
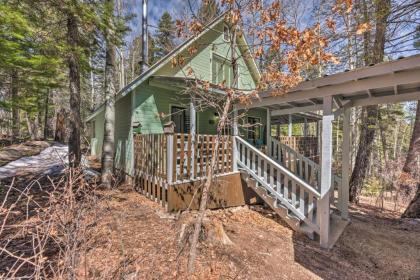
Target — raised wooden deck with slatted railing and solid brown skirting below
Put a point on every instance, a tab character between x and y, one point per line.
169	168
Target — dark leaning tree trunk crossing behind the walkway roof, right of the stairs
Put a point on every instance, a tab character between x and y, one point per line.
367	134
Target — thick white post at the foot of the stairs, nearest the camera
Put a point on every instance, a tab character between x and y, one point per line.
326	164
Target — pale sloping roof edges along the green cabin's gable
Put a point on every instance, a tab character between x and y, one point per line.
242	44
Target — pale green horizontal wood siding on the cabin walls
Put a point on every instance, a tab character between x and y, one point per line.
152	102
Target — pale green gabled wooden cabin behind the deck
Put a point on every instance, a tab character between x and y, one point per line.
159	92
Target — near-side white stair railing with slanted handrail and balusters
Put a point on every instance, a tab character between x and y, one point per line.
294	193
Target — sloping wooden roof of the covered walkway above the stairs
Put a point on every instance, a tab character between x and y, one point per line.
387	82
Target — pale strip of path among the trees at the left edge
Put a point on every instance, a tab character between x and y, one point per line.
50	161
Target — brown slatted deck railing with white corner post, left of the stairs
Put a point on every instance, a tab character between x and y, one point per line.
161	160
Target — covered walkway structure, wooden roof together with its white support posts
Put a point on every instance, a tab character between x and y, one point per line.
334	95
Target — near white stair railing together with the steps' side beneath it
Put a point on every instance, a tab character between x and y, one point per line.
287	194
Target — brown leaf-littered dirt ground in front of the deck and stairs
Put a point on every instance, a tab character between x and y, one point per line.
136	235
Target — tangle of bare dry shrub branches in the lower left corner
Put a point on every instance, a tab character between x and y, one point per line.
44	227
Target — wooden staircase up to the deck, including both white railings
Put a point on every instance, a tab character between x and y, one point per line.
289	184
